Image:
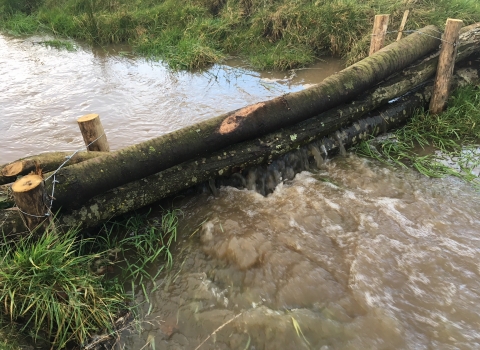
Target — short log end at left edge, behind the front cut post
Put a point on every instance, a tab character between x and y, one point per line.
47	162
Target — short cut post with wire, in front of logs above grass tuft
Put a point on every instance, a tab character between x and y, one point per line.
29	196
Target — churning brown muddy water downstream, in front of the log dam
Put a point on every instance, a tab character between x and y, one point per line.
353	256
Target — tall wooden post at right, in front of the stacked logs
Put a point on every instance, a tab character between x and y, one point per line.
446	64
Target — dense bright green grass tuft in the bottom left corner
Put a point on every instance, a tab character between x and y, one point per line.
48	286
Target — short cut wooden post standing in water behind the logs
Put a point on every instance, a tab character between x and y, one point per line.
92	129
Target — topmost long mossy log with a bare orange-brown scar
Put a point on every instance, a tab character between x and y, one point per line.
91	177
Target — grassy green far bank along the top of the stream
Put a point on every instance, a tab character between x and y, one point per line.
279	34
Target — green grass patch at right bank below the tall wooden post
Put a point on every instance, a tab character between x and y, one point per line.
454	134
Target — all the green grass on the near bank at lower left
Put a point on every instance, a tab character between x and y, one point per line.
61	289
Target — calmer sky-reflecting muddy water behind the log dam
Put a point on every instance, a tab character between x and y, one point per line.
43	91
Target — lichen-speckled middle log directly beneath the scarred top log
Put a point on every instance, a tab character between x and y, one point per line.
261	150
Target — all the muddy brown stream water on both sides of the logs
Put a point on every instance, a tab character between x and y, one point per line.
347	254
